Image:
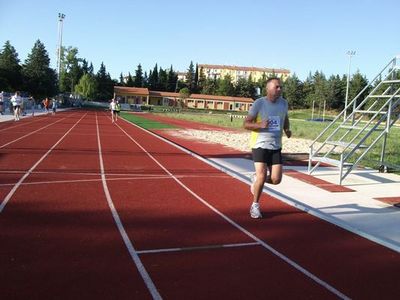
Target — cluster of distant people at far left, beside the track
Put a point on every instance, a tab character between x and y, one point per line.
17	104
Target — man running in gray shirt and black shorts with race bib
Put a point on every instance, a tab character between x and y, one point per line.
267	119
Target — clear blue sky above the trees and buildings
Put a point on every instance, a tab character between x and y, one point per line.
301	36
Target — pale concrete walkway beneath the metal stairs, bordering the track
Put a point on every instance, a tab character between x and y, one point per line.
362	210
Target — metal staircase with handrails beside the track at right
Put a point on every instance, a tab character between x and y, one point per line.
349	137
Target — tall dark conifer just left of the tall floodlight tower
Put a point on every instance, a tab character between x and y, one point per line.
40	79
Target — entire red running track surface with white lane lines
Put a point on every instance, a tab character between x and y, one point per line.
91	209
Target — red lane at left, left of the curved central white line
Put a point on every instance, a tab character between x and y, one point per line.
59	240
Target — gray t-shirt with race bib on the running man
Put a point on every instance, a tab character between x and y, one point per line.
275	113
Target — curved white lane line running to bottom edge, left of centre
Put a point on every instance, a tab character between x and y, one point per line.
132	251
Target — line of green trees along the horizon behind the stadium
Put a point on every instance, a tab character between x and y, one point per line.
77	77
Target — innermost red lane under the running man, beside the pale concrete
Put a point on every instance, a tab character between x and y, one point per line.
351	263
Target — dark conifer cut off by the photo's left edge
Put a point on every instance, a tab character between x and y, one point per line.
10	69
